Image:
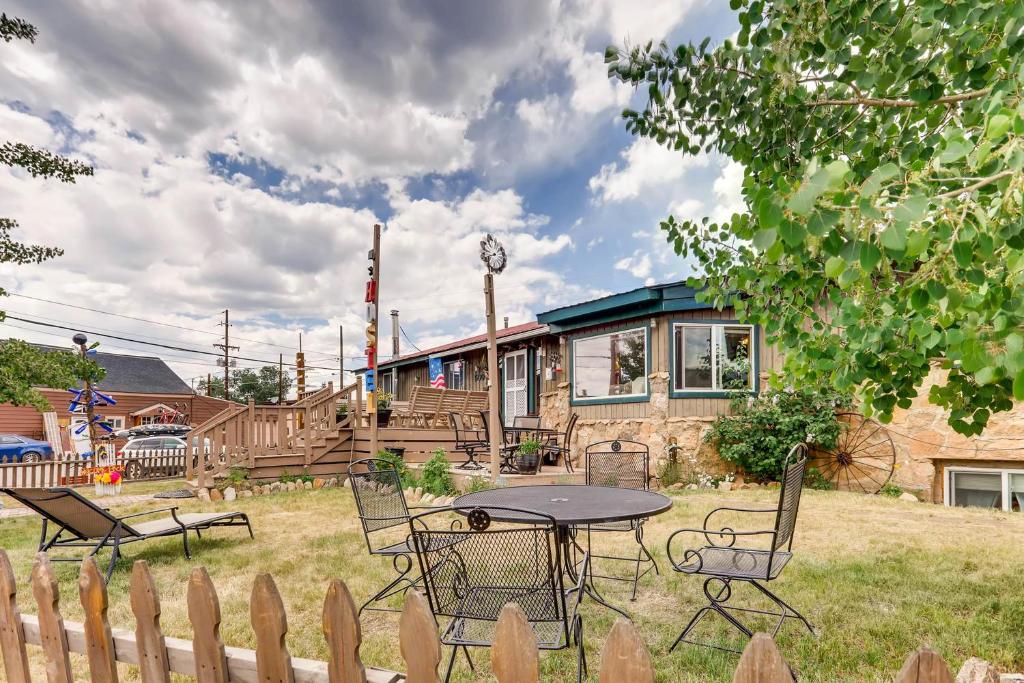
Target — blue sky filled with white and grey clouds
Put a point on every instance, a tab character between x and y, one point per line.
243	152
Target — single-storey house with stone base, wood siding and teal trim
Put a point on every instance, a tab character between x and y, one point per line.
657	366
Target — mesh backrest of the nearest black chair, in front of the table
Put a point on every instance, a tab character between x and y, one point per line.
473	572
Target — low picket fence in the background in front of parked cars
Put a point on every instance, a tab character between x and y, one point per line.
154	465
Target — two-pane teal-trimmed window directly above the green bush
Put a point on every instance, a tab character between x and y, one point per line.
713	358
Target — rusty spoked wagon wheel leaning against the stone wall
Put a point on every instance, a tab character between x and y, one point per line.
864	458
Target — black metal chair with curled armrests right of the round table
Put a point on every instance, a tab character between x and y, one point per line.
724	563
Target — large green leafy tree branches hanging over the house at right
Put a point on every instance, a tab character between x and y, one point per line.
883	146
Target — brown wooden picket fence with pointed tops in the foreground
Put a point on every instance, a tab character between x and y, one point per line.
515	658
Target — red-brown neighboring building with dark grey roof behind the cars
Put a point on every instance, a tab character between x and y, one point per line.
144	388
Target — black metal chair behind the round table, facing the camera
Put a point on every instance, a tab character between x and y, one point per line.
624	465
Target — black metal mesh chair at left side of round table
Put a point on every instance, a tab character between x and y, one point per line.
382	506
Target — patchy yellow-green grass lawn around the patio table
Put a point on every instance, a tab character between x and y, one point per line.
878	577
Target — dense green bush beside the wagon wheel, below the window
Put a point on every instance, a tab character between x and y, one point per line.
762	430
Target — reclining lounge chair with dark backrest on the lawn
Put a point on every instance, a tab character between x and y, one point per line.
82	524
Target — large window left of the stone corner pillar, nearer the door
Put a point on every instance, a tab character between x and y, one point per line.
611	366
